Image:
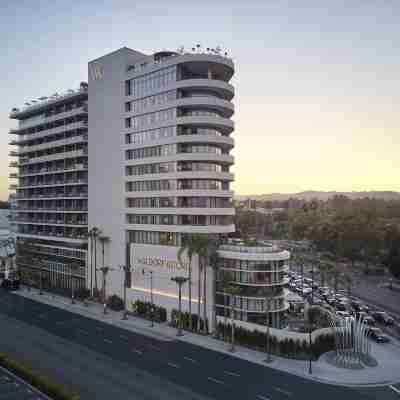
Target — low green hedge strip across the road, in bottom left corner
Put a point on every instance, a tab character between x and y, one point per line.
41	382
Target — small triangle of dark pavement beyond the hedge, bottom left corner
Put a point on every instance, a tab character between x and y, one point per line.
15	389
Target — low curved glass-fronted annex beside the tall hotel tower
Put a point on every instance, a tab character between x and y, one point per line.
257	277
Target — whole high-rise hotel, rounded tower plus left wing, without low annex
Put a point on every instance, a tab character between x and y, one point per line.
156	163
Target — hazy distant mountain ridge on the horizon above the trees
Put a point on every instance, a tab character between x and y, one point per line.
310	194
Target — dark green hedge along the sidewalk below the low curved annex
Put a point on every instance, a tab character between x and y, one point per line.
288	348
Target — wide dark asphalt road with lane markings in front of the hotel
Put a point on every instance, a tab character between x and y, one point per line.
101	361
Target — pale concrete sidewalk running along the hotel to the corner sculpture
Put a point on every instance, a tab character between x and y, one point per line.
387	355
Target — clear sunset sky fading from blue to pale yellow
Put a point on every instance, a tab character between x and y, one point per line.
317	85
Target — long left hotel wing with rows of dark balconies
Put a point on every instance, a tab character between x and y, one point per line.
51	199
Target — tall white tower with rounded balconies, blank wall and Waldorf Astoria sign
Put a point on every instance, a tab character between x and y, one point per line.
159	160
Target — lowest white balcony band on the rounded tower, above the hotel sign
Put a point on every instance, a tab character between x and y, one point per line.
207	229
